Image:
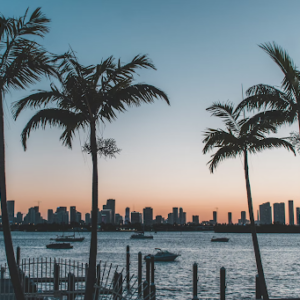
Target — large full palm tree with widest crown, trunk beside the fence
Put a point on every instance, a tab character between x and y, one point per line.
87	96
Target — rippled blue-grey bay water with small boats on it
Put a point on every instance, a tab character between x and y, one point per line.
280	255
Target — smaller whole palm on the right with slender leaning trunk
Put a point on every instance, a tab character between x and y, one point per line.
242	136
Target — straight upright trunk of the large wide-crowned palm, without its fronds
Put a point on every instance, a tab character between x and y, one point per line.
91	278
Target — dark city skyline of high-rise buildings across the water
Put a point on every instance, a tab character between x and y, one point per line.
108	215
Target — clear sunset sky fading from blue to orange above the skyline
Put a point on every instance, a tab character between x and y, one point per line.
204	52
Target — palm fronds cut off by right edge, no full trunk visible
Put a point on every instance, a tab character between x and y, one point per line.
283	105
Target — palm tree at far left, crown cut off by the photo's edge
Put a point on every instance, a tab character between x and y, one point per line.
22	62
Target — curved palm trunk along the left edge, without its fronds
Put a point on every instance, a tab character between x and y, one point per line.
10	255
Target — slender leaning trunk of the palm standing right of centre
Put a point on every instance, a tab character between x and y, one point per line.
259	266
